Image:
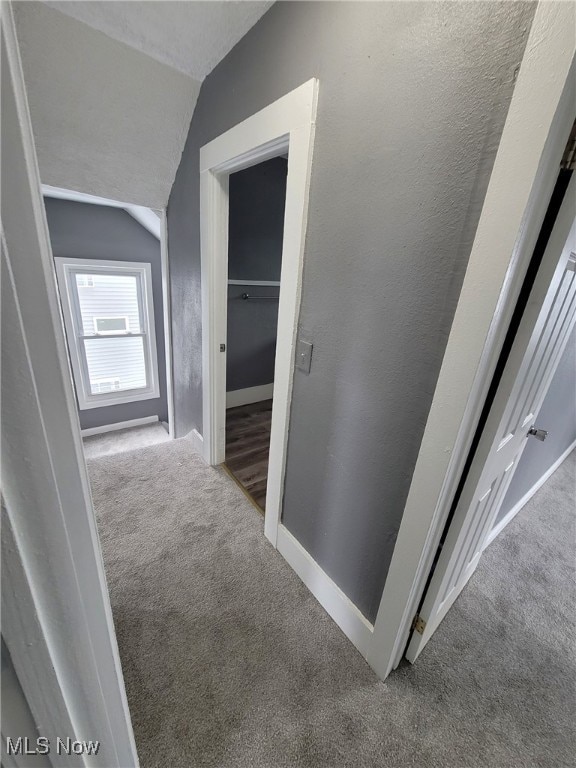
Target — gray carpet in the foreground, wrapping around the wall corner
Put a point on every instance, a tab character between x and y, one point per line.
230	662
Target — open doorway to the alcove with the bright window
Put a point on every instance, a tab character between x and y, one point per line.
109	264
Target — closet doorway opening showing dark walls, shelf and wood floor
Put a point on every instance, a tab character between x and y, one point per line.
257	198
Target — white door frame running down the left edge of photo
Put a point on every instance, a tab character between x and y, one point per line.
58	629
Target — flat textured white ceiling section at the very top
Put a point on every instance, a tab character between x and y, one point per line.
189	36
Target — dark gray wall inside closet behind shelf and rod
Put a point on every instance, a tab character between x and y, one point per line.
257	201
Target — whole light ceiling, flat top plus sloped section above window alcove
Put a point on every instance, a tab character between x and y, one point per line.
108	119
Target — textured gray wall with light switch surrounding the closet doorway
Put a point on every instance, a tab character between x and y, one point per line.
412	101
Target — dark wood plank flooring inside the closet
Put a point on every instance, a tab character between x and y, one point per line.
247	446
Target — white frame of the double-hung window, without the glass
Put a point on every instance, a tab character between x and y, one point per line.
66	269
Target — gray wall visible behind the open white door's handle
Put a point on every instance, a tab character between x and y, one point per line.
558	416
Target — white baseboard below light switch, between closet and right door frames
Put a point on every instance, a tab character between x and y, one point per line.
346	615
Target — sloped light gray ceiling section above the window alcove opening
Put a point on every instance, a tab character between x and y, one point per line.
107	119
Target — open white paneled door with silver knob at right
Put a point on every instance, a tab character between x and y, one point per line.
546	324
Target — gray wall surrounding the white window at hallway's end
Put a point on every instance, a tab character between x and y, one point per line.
98	232
